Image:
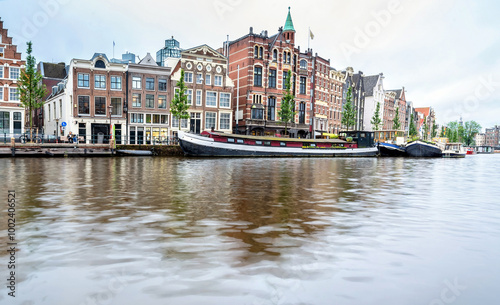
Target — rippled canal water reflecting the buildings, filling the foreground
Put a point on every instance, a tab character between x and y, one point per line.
253	231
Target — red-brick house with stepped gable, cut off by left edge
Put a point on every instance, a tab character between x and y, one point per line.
12	114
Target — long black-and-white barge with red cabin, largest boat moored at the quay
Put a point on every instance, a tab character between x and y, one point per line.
214	144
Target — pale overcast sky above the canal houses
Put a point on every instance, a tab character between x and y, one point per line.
445	53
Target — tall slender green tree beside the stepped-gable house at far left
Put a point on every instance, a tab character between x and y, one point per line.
31	89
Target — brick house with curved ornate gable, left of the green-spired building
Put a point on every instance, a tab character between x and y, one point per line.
209	90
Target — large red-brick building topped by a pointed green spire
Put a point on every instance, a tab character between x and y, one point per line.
259	64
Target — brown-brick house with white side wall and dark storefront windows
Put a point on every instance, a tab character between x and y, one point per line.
89	101
